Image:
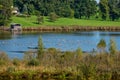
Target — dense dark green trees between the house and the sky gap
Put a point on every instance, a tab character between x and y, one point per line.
63	8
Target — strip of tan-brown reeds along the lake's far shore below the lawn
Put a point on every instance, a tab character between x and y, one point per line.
66	28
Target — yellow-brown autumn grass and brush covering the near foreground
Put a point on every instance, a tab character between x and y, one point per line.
54	64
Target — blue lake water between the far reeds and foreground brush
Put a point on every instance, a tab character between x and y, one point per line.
16	44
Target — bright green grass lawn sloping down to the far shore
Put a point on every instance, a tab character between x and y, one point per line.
31	22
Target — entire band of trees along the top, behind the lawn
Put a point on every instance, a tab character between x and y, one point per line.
105	9
